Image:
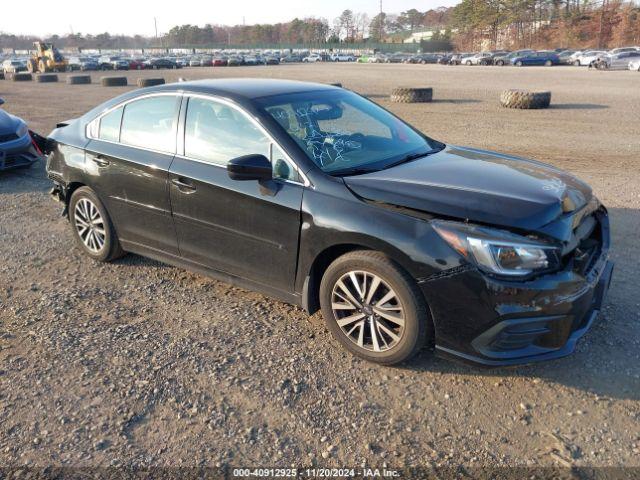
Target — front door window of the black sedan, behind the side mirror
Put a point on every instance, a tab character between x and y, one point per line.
216	133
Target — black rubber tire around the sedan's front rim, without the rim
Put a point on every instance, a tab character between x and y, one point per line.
418	327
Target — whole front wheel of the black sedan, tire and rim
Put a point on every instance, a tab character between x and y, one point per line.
374	308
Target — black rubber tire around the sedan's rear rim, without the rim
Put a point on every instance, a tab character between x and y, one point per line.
111	248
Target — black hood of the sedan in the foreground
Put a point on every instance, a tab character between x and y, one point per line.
479	186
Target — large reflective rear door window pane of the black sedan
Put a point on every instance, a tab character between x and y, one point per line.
151	123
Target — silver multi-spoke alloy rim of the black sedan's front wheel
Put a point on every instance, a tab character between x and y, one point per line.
368	311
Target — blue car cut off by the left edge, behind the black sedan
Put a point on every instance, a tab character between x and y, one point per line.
17	148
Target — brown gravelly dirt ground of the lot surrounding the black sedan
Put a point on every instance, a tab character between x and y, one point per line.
137	363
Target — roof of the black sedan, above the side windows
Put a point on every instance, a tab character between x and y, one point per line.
248	88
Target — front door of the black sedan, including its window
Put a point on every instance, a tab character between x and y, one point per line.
244	228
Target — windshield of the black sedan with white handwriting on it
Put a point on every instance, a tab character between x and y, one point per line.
343	132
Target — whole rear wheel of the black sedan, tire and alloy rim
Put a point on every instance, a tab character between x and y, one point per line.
92	226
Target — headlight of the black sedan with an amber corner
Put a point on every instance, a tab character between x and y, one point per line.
499	252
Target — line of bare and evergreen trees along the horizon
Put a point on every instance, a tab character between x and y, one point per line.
472	25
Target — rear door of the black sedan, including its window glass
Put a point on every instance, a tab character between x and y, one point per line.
129	159
